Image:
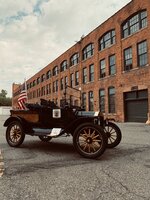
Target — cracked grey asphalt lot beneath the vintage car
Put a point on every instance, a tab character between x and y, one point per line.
55	170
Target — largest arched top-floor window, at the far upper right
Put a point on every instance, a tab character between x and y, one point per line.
135	23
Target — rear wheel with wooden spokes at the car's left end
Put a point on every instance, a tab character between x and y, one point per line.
15	134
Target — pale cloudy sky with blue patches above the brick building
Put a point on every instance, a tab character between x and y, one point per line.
35	32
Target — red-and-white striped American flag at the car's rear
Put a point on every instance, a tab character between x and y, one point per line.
22	98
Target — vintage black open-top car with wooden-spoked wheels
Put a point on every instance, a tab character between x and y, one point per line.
92	134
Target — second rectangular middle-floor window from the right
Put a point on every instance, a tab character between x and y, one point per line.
128	59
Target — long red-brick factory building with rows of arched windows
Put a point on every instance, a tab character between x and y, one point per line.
109	68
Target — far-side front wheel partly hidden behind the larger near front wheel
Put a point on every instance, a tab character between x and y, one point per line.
113	133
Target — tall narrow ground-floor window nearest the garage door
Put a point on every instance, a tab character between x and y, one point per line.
111	100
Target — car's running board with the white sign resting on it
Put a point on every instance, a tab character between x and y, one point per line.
47	132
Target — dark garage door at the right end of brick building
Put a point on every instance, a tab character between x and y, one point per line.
136	106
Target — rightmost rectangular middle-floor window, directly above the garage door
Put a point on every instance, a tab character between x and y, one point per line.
142	53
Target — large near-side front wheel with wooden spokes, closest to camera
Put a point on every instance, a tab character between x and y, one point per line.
94	140
